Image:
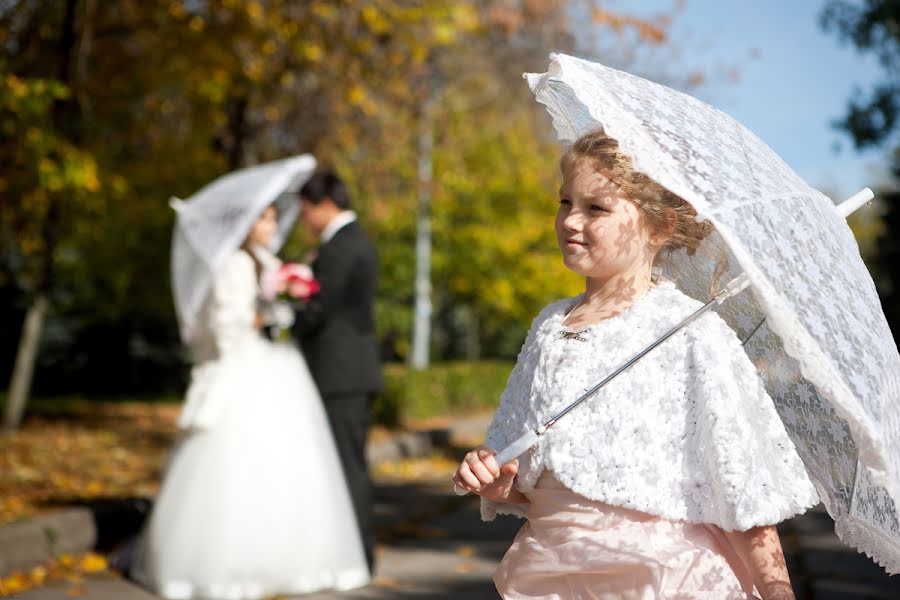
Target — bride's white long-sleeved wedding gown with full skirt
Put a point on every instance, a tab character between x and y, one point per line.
253	501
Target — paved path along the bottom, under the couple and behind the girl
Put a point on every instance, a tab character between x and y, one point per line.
433	545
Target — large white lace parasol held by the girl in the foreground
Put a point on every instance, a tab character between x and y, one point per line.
825	350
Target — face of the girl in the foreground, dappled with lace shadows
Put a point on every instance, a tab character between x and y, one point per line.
601	233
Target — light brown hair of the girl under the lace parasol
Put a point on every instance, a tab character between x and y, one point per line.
663	210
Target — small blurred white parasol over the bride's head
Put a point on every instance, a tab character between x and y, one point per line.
213	223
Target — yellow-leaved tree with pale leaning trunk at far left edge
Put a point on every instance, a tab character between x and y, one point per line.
50	185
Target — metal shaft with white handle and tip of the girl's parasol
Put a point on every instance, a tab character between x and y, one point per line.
732	288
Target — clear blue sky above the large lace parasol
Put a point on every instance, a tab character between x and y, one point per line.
794	79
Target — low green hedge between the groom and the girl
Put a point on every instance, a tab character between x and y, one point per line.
453	388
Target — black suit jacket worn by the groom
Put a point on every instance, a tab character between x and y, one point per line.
336	328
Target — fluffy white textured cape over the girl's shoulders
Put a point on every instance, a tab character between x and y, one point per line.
688	433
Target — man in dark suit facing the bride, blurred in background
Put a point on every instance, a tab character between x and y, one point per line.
337	333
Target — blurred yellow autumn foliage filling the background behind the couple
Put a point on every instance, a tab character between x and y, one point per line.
138	100
